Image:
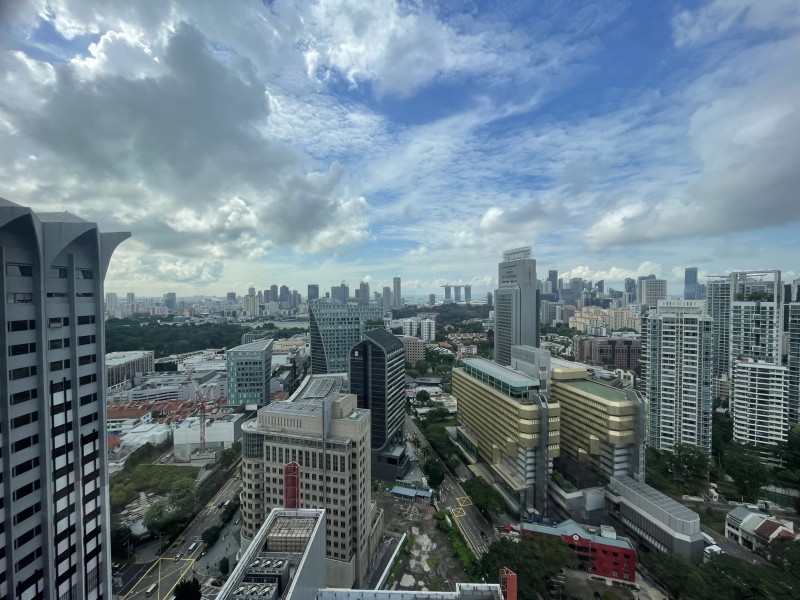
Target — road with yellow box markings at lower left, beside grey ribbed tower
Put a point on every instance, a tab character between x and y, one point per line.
178	562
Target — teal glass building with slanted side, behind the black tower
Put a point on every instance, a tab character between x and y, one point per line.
334	329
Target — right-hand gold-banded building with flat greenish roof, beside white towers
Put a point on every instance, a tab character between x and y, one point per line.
601	426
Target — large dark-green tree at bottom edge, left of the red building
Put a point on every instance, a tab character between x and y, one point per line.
535	559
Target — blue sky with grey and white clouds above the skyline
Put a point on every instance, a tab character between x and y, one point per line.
245	143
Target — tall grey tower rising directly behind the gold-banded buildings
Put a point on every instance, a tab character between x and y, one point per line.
516	314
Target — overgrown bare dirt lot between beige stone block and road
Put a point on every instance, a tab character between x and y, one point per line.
427	563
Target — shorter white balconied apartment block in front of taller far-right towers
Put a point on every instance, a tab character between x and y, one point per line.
759	405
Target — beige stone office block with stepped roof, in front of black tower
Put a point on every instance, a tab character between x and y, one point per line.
321	429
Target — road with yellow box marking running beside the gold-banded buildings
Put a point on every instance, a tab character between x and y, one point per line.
452	497
